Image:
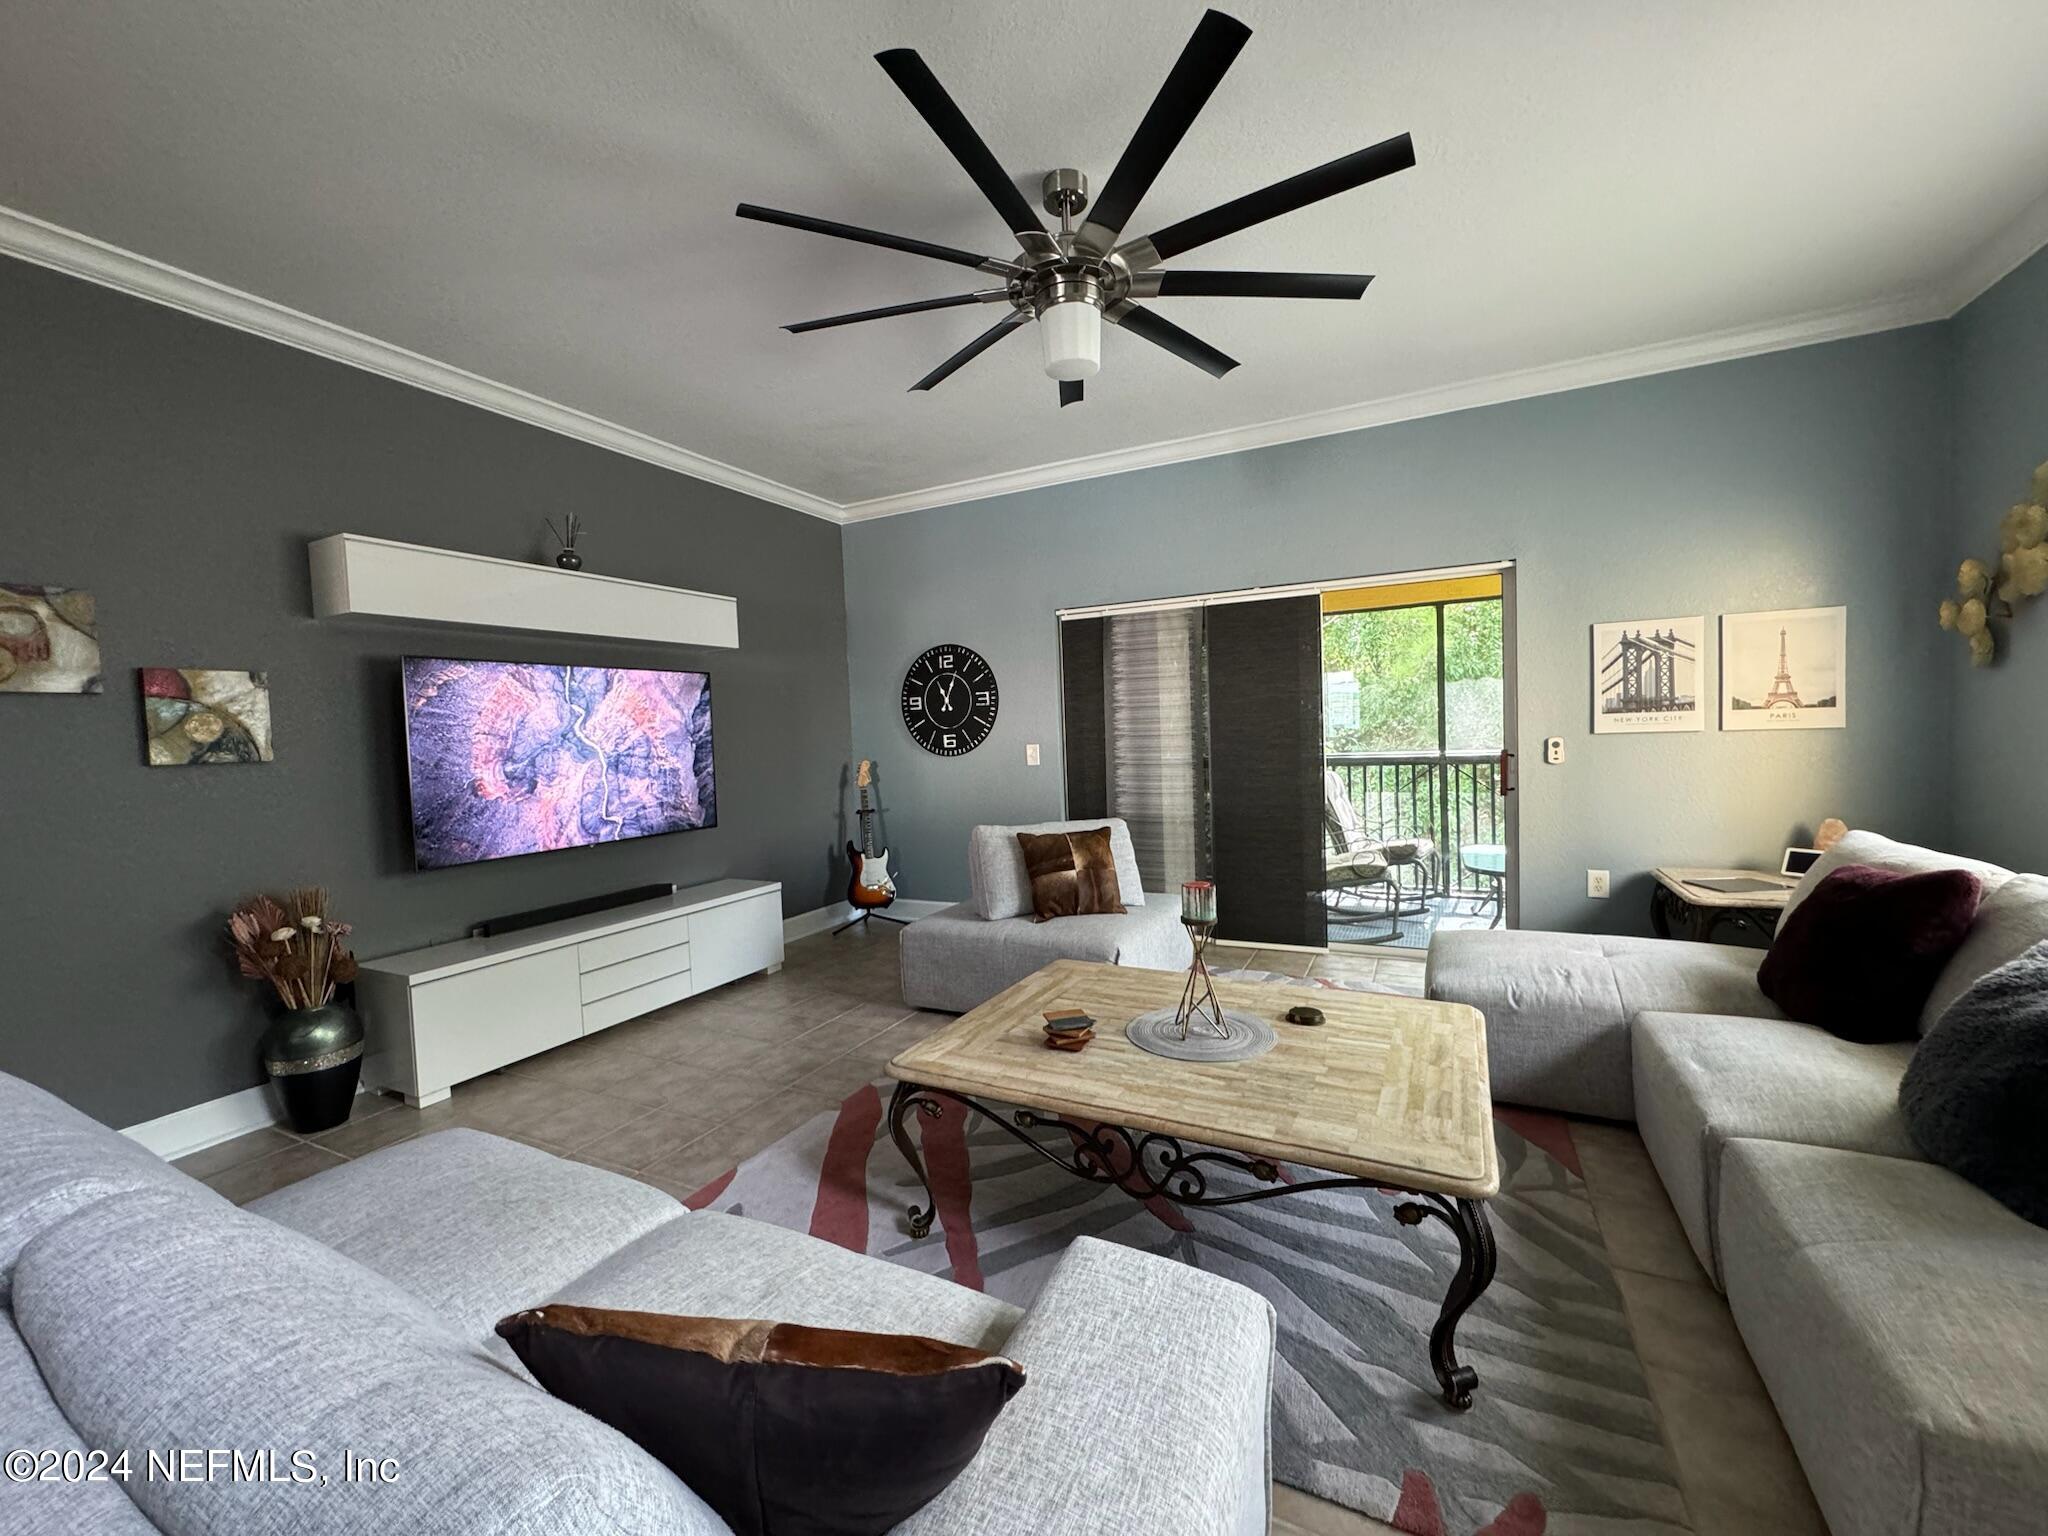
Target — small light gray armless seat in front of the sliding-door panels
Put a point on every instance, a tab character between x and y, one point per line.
966	955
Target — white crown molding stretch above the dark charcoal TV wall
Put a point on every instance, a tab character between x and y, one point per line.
95	261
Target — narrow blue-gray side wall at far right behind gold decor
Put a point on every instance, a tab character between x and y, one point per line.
2002	433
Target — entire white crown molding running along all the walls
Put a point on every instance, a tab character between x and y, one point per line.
95	261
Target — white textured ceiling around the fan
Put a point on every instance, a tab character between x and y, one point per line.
544	191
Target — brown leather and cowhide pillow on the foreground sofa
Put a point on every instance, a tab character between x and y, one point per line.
783	1431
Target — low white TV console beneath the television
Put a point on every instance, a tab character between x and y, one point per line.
450	1013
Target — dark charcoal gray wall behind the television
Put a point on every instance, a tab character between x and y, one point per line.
179	470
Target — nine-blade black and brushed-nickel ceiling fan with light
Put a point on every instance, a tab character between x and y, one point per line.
1076	280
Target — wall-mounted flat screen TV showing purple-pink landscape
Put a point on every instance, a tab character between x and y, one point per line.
515	759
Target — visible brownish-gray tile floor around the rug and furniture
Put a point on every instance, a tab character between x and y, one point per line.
679	1097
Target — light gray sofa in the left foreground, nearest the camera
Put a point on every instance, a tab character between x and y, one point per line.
353	1314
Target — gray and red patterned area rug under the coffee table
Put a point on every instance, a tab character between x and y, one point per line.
1562	1437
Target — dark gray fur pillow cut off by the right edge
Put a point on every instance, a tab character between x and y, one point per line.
1977	1093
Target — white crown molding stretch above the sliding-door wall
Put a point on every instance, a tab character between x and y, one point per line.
1498	390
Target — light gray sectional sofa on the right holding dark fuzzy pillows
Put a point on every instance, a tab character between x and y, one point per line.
1897	1314
